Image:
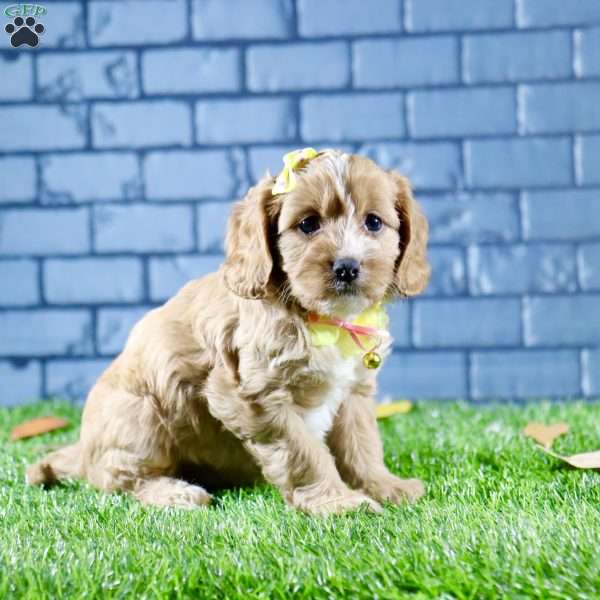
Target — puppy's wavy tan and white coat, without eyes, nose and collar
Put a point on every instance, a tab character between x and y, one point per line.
224	375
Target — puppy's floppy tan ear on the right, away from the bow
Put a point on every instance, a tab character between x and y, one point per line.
412	268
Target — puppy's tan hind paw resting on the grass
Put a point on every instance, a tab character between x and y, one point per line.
168	491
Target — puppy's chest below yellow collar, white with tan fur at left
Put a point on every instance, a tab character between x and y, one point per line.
326	383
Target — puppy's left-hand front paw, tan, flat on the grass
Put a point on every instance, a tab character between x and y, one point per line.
317	501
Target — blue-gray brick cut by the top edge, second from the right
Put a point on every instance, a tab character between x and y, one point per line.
440	15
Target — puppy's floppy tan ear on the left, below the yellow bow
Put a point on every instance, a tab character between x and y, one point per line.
248	258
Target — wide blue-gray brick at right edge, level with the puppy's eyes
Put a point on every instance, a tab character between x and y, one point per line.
561	215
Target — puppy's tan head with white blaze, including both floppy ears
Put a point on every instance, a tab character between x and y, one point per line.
347	236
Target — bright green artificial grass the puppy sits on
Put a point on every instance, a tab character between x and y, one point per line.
500	520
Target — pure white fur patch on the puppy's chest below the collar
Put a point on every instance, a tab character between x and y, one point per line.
341	375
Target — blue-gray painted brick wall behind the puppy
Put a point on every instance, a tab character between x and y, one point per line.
126	135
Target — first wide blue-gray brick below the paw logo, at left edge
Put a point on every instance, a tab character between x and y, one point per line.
56	127
